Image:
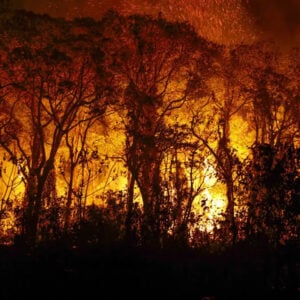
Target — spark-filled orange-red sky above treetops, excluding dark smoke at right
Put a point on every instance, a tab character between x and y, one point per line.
222	21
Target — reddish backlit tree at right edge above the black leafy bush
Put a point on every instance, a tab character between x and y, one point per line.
273	92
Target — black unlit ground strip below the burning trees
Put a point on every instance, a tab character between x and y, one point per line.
58	272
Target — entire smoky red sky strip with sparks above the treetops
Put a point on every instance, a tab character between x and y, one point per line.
220	20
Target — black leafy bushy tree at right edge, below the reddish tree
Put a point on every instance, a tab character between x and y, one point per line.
272	186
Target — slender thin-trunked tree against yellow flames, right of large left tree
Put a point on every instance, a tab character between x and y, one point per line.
79	166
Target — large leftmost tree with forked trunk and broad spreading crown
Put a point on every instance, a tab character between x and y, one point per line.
49	85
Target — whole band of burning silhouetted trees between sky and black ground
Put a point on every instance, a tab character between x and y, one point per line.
144	114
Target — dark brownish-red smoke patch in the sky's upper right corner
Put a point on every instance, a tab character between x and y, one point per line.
278	20
